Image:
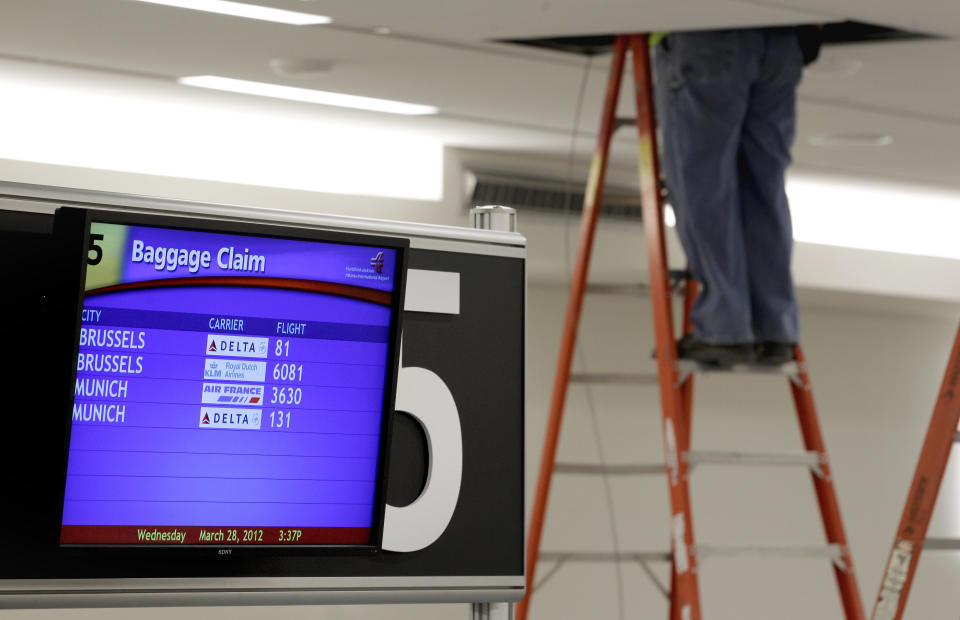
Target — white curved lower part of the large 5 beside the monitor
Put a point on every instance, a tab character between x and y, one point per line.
424	395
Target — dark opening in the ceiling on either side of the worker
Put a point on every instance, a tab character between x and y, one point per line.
839	33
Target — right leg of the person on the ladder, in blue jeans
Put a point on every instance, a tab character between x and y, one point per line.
768	132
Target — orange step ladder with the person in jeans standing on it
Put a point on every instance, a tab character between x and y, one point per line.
675	380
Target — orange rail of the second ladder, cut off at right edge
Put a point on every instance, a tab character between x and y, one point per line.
912	531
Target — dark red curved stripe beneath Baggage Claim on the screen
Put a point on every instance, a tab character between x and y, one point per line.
383	298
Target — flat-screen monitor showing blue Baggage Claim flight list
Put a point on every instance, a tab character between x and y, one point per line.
233	385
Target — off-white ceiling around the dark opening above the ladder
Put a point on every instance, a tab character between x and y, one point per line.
499	96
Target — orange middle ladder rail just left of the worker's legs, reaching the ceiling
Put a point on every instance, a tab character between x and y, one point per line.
685	602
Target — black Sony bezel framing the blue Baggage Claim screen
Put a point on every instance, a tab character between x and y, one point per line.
72	229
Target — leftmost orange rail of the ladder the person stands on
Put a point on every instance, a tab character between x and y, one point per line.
593	198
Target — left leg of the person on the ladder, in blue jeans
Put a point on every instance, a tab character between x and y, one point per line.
703	85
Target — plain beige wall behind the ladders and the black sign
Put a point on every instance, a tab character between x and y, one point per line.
875	362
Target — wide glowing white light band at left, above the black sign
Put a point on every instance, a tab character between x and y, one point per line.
87	120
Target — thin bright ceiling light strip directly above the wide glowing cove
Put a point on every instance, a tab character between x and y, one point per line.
277	91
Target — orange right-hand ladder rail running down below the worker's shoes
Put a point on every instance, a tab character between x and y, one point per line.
825	492
